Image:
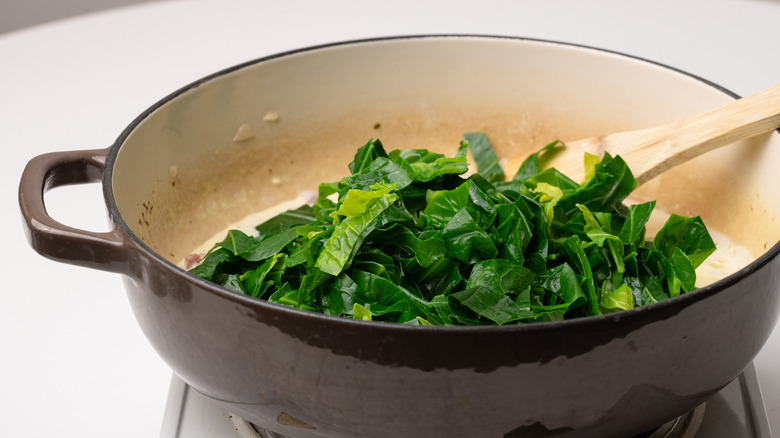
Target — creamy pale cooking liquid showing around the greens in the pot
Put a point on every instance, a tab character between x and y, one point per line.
726	260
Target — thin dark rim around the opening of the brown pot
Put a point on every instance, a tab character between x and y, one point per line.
662	307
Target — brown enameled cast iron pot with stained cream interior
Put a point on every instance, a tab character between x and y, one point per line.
179	174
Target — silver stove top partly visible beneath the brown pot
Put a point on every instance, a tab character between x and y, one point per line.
737	411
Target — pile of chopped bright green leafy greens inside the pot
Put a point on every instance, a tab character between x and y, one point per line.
410	240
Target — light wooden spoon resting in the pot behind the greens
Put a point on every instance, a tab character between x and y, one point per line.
652	151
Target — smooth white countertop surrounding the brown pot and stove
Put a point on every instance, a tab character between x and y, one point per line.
73	361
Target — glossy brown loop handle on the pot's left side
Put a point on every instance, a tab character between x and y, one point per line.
108	251
